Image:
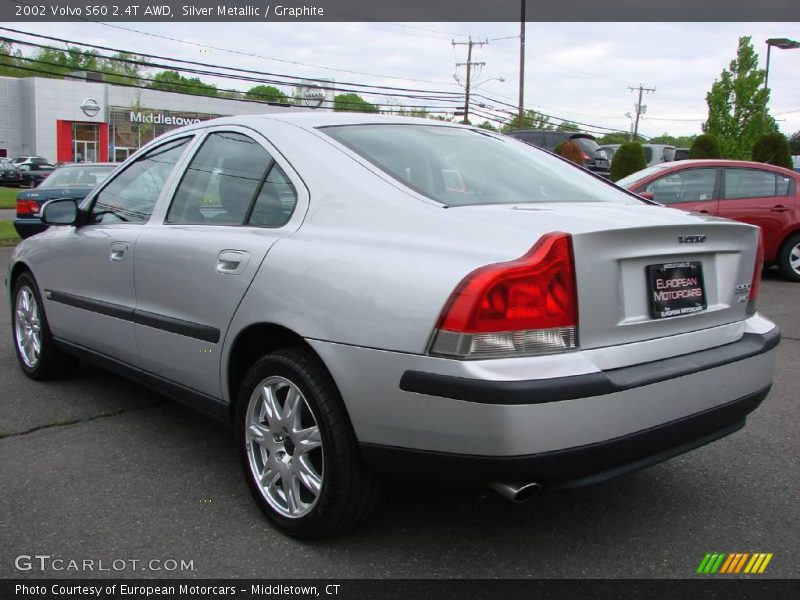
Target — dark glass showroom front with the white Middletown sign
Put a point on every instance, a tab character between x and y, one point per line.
132	127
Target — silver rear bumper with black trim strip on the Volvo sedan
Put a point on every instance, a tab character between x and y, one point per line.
504	409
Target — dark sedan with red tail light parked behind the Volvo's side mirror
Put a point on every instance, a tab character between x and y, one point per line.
70	181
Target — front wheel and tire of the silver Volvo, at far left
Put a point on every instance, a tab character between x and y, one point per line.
35	348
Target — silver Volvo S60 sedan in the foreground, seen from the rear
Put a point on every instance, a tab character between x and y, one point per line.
367	295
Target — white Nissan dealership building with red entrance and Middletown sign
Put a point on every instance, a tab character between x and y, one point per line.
75	120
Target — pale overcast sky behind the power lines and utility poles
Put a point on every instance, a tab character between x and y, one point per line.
576	71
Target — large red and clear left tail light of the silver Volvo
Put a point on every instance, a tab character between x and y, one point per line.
521	307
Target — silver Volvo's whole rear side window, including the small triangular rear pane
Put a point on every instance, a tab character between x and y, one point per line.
230	175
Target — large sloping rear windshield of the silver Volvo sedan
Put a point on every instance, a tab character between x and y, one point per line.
458	166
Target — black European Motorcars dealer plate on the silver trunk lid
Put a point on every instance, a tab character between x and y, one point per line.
676	289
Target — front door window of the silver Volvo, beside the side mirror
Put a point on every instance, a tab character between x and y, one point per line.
132	195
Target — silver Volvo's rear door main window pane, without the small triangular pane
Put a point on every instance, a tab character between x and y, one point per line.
221	182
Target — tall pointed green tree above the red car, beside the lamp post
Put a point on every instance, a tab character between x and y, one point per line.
737	104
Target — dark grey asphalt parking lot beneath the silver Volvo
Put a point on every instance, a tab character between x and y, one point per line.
94	467
